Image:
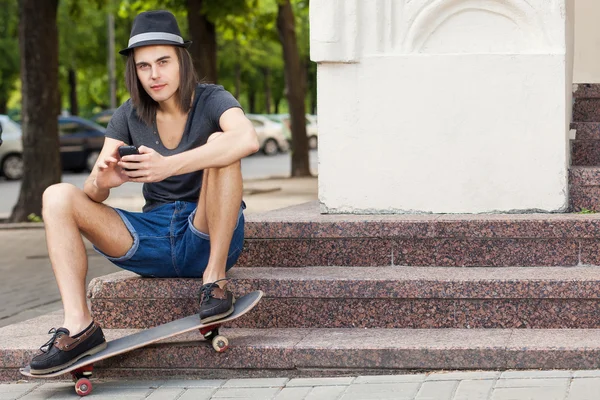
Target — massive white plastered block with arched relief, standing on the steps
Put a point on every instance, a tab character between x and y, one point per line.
443	106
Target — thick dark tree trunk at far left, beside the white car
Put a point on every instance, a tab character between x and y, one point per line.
38	40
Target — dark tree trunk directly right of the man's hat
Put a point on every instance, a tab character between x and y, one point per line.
204	42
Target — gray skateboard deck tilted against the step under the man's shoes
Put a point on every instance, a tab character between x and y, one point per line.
153	335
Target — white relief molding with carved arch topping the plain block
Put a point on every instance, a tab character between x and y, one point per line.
347	30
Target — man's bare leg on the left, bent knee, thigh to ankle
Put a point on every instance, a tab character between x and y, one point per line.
68	213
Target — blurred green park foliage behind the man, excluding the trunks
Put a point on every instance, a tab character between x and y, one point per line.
249	61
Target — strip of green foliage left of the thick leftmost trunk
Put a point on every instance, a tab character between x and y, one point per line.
9	48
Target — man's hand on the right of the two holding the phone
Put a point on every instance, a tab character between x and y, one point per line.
148	166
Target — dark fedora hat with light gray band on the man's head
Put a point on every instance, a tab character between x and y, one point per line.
152	28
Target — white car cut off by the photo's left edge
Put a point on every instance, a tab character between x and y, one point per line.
11	150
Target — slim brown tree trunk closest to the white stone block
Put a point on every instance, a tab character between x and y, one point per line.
296	88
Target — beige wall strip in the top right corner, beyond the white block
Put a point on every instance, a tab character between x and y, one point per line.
587	41
